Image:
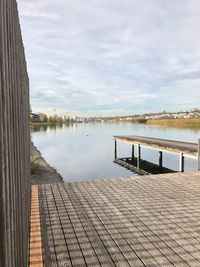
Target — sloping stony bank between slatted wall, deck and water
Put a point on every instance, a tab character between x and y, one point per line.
45	174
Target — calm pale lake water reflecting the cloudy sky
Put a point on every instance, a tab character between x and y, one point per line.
86	151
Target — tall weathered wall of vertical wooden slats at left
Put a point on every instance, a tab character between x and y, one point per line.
14	141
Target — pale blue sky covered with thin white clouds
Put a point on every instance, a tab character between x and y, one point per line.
112	57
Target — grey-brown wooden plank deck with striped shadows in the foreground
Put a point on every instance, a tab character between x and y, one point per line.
139	221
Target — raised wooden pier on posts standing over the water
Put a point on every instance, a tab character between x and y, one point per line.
184	149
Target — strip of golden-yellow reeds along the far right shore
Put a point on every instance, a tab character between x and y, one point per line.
180	123
